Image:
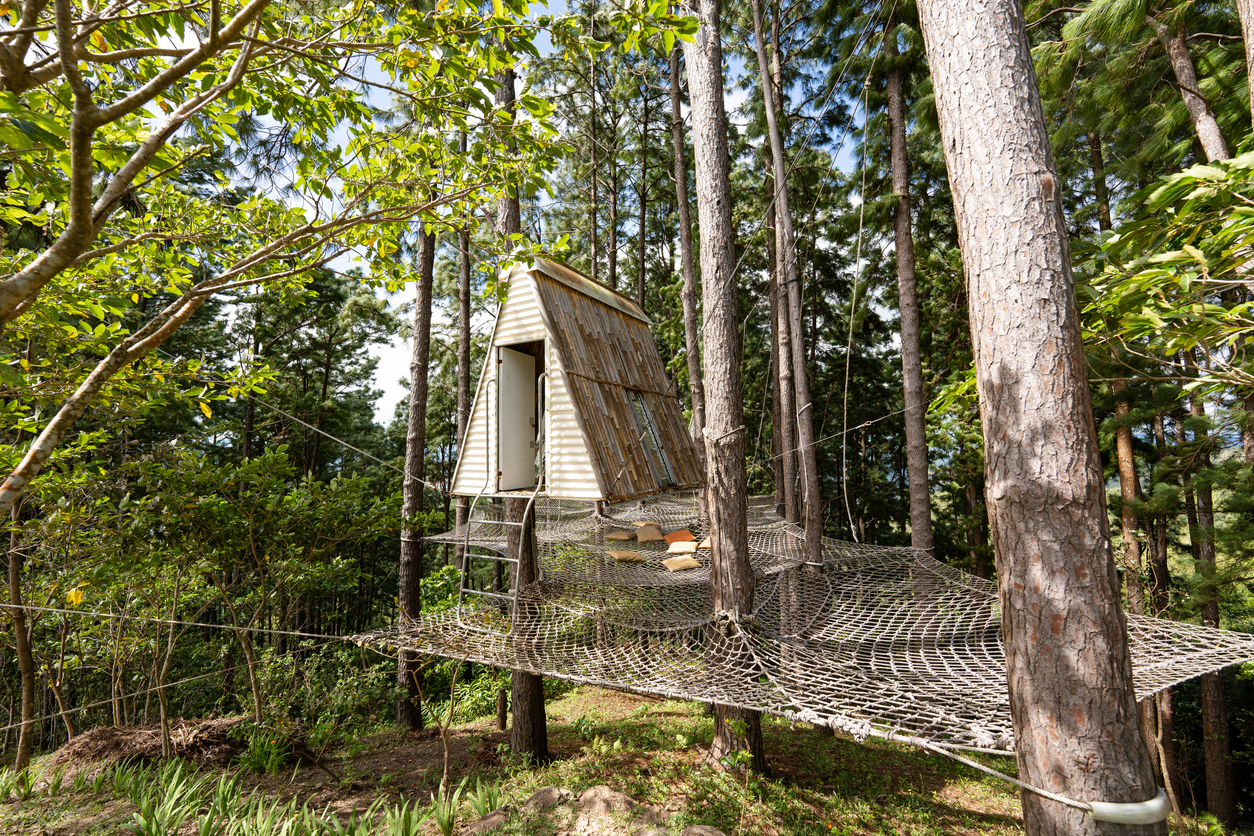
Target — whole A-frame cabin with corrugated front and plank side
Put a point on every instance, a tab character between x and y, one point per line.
574	399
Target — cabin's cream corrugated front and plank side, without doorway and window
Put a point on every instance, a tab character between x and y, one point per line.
598	350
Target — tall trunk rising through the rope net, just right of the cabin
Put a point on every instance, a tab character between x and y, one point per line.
732	577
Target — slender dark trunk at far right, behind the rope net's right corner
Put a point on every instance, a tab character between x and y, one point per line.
1217	748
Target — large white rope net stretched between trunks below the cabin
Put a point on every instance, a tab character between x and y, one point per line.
882	642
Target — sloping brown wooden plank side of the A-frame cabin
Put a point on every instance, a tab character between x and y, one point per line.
605	354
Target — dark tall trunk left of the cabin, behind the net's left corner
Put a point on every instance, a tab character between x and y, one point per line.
409	711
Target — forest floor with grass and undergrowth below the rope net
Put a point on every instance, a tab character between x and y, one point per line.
383	781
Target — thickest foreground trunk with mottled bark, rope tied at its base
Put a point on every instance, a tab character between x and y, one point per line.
1069	669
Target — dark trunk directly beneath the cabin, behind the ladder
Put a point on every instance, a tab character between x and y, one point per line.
530	734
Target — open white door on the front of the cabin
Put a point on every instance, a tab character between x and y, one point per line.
516	421
